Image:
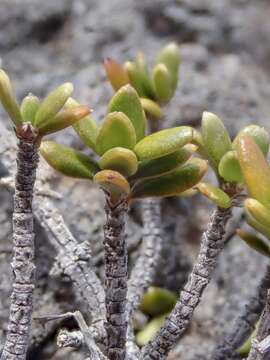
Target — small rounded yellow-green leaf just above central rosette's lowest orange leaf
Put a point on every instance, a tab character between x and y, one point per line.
119	159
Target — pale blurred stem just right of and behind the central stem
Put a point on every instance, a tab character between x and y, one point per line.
143	273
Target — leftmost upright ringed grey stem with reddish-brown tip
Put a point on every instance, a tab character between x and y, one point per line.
23	265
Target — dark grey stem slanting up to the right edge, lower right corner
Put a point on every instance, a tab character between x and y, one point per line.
245	323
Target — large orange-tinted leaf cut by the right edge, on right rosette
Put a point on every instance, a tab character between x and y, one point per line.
255	169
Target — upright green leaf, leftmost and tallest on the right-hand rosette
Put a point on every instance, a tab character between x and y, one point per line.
215	138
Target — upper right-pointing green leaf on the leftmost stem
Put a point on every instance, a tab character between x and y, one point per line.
53	103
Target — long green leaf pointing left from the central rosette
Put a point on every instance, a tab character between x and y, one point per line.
68	161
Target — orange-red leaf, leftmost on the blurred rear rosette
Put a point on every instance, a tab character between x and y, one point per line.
116	73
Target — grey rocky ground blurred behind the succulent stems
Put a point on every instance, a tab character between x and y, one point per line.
225	49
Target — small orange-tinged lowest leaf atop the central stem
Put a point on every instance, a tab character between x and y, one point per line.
113	183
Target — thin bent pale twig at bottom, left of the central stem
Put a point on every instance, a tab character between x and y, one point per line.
94	352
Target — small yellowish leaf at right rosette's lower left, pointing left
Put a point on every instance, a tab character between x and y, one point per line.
219	197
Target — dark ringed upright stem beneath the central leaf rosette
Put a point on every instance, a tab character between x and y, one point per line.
115	251
